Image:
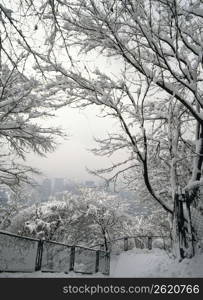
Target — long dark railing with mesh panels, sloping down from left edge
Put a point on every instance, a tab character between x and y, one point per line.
24	254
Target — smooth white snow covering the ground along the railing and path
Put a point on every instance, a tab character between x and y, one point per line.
137	263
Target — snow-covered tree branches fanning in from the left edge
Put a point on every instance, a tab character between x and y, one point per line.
21	107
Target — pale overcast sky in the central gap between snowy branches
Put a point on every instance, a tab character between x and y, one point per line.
72	157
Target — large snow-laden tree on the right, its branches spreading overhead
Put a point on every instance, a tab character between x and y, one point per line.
158	44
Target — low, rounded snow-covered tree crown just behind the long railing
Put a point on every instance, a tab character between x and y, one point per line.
90	217
